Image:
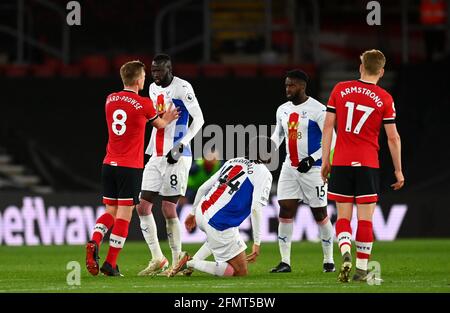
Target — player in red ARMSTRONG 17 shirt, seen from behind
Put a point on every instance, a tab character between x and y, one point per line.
359	108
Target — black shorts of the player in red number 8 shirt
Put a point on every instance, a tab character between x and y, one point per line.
121	185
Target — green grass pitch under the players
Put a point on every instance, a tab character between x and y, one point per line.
406	266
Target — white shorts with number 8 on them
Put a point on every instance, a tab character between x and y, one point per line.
164	178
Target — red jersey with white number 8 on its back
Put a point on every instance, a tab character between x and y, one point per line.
126	116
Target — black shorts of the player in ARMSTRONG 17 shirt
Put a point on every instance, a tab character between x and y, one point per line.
358	184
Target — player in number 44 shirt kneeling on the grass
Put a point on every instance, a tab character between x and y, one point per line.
240	188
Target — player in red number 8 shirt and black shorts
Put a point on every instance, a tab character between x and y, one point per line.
127	113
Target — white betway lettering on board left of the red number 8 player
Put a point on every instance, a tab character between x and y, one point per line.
33	224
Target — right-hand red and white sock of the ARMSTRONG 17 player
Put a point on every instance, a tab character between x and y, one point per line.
364	241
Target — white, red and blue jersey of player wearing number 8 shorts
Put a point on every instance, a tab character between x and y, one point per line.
181	94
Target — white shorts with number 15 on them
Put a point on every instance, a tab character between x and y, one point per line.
307	187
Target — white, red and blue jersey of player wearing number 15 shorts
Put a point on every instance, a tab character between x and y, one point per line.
302	127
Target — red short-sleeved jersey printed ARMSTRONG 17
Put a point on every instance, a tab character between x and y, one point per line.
360	109
